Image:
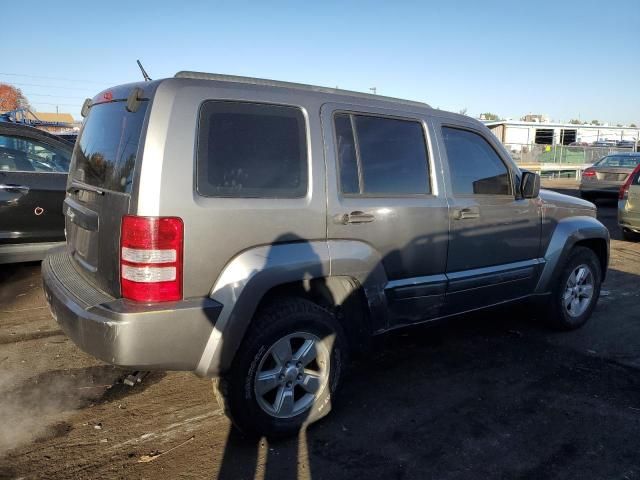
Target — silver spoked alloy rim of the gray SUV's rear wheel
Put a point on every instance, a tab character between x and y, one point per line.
291	375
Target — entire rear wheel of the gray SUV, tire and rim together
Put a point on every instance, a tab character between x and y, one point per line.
286	371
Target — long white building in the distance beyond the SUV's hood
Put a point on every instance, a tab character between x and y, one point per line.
516	134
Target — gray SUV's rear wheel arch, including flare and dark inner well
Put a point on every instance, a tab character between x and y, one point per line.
303	269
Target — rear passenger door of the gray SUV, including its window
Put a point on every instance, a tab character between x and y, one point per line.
382	191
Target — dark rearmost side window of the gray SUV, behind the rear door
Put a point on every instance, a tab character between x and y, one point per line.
251	150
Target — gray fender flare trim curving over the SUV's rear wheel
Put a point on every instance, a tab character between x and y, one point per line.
250	275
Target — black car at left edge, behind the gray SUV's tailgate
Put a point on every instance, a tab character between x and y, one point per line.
33	177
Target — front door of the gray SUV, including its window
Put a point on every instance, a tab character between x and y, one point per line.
495	233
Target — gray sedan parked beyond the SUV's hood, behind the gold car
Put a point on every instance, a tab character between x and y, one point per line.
605	177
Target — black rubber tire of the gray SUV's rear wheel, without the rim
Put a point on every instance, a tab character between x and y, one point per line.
235	391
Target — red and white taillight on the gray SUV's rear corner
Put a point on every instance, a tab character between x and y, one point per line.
151	258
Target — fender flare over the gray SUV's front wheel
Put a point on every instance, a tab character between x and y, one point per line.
567	233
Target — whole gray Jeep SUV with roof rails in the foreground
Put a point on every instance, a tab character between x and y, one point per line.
261	232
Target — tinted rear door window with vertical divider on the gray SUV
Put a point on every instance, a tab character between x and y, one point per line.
381	156
